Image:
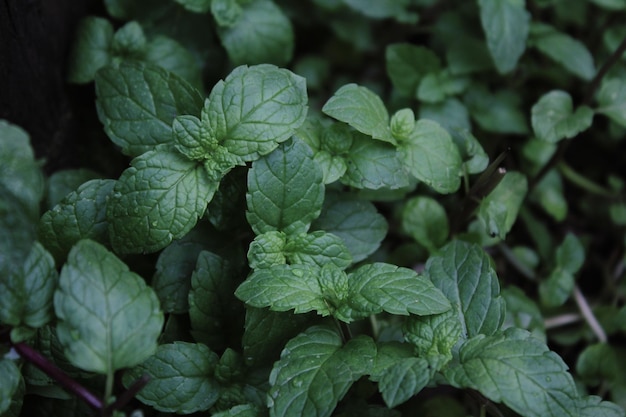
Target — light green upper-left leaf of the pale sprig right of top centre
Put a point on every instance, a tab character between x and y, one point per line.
362	109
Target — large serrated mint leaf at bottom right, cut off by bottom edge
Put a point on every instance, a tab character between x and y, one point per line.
514	368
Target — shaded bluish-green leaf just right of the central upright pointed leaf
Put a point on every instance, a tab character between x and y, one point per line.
357	223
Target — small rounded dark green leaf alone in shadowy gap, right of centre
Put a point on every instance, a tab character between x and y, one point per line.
425	220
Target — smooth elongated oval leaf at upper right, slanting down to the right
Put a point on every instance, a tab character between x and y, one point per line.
572	54
